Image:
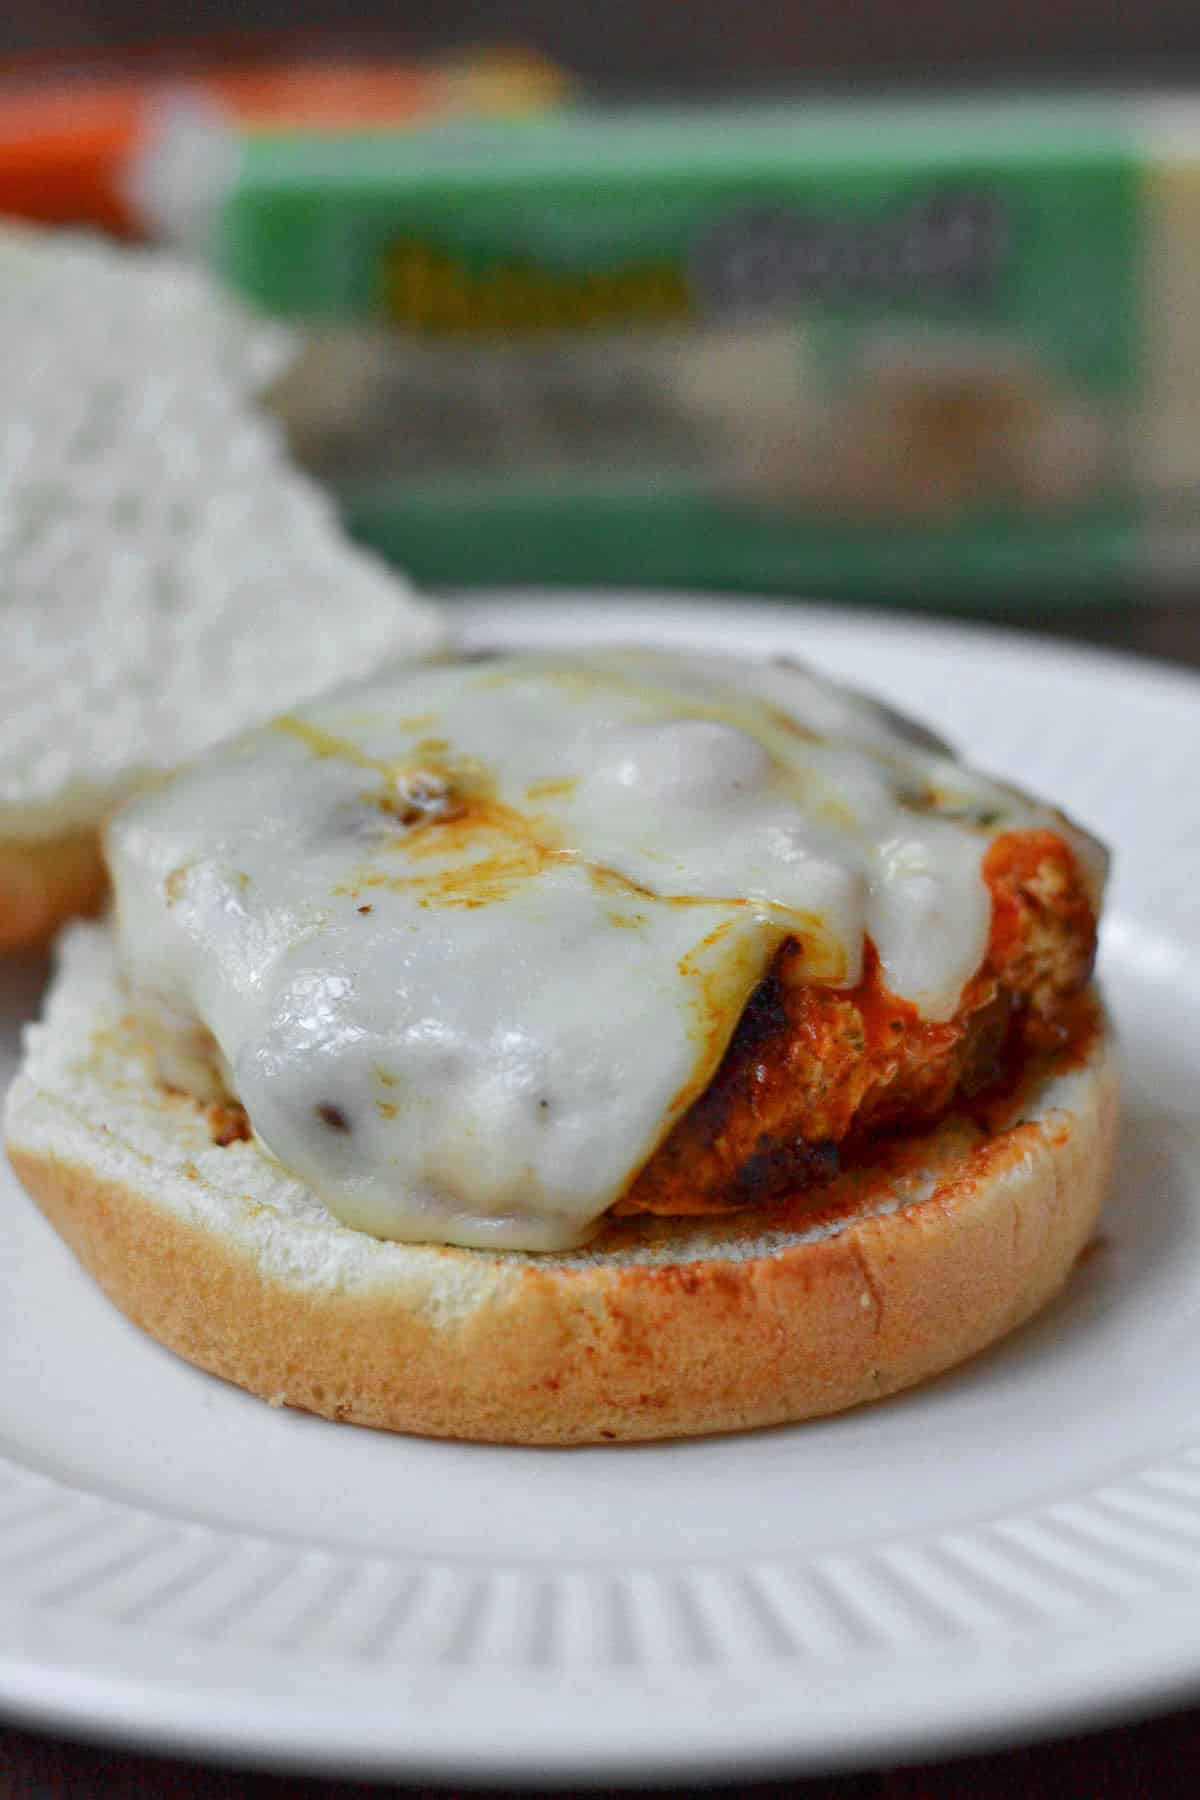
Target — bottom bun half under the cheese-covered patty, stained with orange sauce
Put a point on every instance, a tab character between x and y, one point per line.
658	1329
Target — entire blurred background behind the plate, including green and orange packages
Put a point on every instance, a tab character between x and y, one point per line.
886	305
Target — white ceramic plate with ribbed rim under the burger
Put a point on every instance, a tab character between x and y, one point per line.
1010	1551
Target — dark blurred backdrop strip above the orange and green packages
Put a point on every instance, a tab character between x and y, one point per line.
659	42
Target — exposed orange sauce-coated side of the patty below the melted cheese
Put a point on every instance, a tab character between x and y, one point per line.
816	1077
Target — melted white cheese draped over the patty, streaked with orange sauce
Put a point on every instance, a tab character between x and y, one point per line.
472	937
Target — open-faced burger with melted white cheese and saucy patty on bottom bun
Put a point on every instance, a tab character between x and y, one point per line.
562	1048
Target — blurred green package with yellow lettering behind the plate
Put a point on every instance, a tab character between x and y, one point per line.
926	348
